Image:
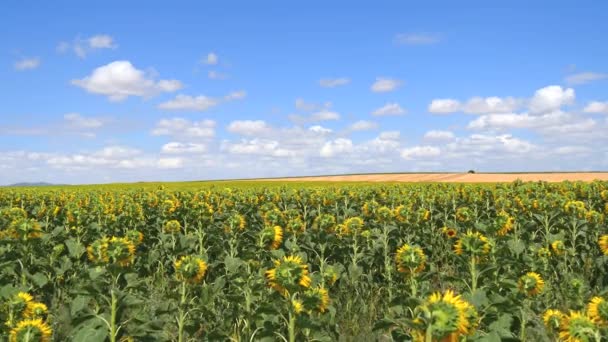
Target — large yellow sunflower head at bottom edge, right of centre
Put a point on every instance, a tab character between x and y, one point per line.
449	315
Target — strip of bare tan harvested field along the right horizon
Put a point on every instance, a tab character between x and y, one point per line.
456	177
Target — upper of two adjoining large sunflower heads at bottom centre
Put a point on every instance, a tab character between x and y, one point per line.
289	274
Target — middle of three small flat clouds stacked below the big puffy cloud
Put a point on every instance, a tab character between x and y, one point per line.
181	128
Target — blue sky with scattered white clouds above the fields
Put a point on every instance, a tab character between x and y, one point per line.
129	91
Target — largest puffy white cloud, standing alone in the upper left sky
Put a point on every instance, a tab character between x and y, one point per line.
119	80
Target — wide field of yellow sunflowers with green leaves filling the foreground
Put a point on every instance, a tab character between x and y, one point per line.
316	262
